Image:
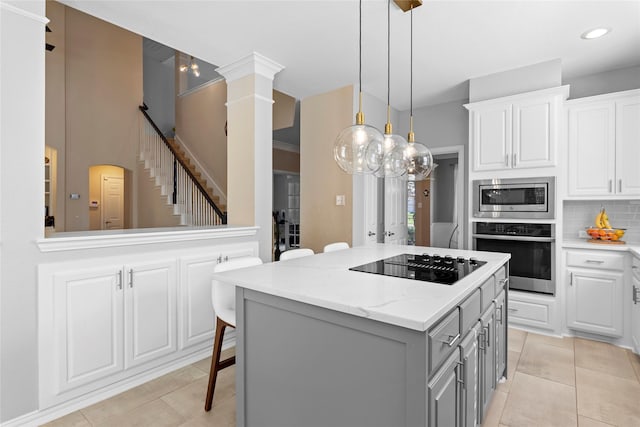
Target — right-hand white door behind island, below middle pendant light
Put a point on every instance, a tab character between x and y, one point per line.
395	211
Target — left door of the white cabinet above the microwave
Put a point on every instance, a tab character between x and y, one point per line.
491	137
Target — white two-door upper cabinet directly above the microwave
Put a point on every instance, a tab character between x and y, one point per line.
519	131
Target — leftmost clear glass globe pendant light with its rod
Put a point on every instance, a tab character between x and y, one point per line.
358	148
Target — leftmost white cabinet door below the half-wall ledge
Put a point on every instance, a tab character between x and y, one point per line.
88	325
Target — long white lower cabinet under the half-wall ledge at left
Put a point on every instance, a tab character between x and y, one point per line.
103	321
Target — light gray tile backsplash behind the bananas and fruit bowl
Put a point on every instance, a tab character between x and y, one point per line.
577	215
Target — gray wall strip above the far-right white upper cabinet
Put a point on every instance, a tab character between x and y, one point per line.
607	82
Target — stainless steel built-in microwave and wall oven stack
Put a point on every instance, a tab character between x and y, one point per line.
531	245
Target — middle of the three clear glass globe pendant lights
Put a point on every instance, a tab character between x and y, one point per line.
394	163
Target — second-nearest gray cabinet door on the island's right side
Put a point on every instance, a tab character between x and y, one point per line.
469	403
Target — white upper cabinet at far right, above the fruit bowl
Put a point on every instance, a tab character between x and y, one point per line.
604	147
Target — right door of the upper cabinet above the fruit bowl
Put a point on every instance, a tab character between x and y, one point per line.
628	146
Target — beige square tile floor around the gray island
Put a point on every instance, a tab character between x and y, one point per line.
552	382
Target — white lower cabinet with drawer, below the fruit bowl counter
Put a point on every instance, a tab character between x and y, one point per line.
595	295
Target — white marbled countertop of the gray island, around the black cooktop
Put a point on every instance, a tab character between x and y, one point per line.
324	280
